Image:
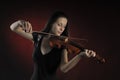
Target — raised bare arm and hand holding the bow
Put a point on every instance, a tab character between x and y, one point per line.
23	28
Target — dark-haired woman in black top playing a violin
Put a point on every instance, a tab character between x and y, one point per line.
46	58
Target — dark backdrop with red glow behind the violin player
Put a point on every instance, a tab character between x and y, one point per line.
96	21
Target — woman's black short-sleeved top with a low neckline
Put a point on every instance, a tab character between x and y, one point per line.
45	66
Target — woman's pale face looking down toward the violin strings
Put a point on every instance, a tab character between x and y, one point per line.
59	26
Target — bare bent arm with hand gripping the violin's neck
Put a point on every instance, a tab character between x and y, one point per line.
67	65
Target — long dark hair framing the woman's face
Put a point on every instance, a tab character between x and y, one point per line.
52	19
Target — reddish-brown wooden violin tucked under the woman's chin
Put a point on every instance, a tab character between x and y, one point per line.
71	46
